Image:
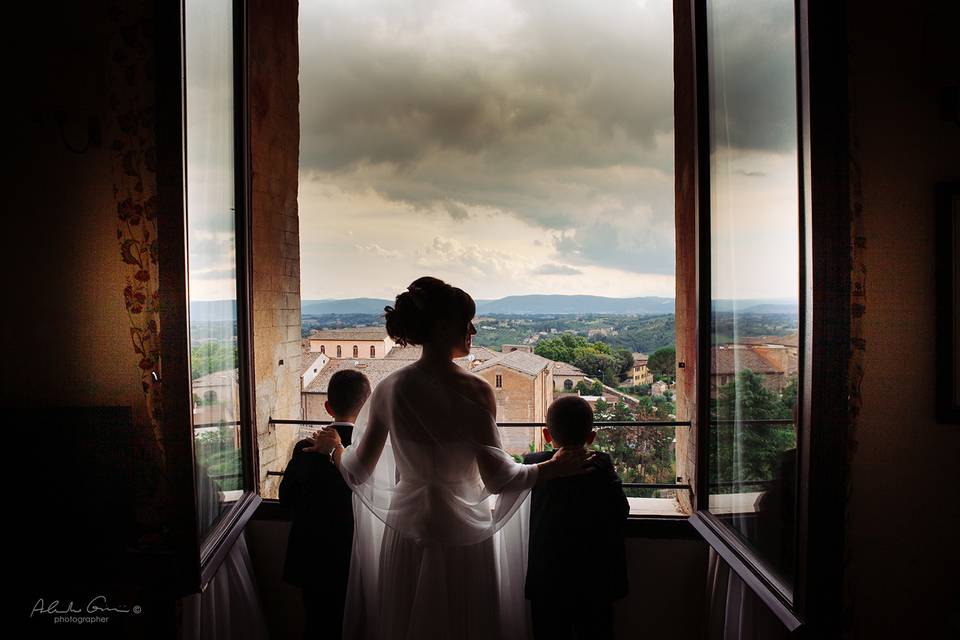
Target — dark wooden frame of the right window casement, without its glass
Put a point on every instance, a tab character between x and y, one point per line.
813	599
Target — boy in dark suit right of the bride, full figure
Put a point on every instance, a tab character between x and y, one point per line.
577	566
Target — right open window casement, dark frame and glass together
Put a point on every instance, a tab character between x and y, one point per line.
765	209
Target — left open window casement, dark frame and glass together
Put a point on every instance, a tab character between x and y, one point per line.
204	251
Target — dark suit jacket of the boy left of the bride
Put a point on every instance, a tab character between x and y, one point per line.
321	529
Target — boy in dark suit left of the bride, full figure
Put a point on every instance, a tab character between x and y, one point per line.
322	514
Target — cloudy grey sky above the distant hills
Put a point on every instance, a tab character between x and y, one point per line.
507	147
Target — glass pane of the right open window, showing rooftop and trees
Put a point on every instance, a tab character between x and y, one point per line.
754	274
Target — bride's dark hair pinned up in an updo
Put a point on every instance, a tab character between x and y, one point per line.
427	303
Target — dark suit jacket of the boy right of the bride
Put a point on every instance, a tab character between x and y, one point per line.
580	518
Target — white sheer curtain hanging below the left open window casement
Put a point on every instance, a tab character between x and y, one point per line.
229	608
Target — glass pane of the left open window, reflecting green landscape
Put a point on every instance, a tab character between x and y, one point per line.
211	238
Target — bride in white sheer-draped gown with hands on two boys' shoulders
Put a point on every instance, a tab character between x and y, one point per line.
437	550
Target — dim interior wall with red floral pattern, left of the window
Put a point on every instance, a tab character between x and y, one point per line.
81	326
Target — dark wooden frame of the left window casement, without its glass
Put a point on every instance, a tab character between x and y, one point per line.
195	559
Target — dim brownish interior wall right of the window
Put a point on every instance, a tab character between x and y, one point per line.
902	511
